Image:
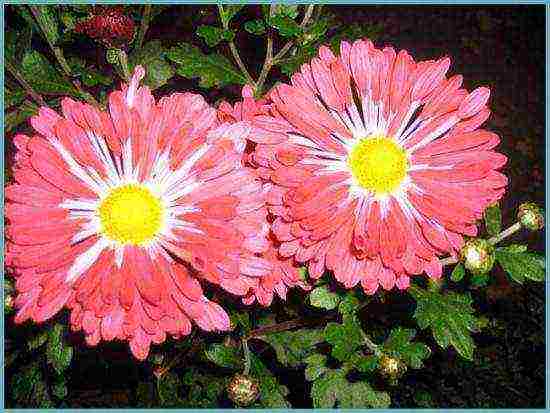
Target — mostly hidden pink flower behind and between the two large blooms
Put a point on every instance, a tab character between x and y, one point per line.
285	273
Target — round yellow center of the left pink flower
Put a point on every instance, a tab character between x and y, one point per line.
131	214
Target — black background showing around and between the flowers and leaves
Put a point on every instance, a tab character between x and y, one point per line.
502	47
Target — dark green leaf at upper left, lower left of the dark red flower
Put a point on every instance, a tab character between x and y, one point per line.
43	77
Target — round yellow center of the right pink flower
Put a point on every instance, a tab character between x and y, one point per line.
378	164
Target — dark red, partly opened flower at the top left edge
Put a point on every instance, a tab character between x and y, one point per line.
108	25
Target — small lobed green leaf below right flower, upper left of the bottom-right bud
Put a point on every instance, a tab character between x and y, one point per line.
345	338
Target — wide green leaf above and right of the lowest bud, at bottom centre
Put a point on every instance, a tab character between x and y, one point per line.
292	347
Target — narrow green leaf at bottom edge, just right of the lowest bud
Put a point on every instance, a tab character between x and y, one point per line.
272	394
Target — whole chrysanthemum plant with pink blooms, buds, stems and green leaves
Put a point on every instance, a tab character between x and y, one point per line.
344	175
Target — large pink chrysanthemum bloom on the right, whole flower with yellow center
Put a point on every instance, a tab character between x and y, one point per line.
377	163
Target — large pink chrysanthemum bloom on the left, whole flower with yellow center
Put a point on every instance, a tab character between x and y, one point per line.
109	208
